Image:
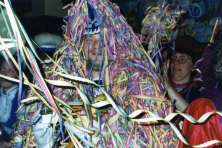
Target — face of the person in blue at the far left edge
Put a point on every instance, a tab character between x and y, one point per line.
7	71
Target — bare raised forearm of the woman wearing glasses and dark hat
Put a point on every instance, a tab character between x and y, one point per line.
180	103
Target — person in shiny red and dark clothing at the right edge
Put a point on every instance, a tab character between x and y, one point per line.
208	100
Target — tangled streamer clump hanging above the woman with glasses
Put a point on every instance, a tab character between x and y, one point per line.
158	26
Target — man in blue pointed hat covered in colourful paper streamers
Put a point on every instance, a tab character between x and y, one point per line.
104	85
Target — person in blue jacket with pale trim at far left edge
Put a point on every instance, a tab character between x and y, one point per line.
8	102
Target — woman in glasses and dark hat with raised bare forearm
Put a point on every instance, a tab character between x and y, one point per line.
181	65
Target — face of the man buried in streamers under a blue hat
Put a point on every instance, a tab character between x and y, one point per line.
92	49
